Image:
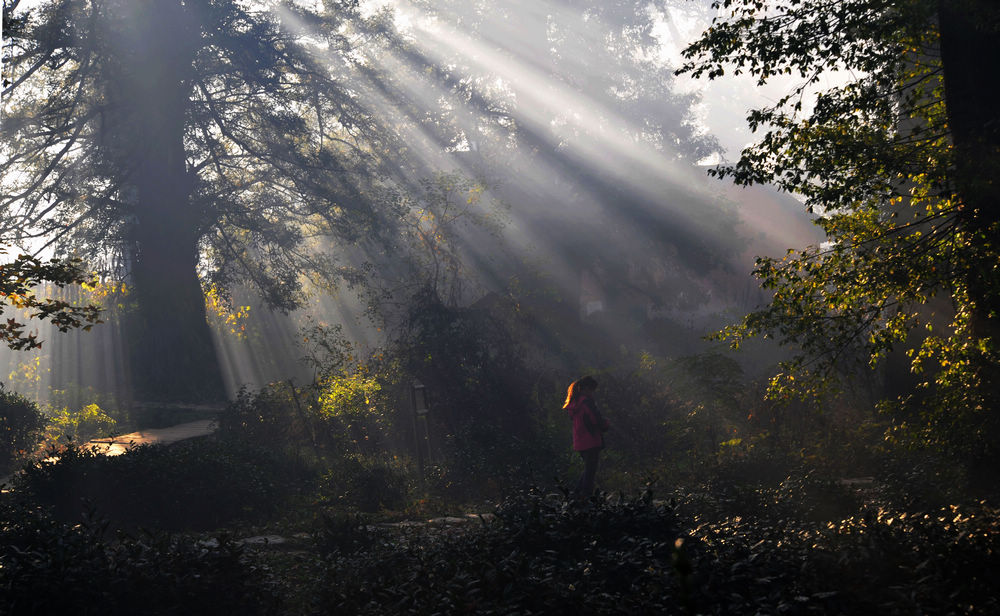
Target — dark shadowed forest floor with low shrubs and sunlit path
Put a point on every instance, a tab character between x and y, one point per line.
230	516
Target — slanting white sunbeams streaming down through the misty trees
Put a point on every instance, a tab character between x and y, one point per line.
541	108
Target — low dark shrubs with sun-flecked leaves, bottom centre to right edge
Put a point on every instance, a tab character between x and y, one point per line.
805	545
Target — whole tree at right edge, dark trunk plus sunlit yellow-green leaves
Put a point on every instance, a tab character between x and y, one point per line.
902	164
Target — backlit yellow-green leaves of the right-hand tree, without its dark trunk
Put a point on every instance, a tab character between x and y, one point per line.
873	158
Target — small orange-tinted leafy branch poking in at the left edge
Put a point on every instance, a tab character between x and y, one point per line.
18	281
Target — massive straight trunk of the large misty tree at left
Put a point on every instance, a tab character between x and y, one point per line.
174	357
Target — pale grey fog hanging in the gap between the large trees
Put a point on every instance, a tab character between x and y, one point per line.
545	146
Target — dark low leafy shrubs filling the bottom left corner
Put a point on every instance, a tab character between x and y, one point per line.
98	572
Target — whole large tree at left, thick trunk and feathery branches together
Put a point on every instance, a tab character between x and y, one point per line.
168	139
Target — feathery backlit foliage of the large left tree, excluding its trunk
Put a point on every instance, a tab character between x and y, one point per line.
232	49
